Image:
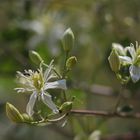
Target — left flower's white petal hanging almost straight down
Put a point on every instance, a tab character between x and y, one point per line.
31	103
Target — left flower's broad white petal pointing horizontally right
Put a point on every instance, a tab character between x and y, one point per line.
60	84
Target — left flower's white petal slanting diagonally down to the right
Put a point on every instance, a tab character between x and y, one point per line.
46	98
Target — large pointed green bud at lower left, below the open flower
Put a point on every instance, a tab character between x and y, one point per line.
13	114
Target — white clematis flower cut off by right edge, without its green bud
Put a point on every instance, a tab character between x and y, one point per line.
133	59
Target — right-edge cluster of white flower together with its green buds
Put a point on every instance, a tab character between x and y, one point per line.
125	62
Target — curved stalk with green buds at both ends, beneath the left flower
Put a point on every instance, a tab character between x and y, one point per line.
17	117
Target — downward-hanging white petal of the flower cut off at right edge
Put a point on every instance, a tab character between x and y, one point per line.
134	73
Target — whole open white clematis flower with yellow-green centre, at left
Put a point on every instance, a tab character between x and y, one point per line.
38	83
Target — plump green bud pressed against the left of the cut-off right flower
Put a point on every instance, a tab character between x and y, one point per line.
114	61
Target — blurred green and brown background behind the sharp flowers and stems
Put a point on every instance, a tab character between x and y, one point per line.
38	25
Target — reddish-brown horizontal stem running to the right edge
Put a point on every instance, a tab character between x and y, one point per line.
105	114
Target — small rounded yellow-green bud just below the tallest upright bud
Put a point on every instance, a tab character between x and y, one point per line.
71	62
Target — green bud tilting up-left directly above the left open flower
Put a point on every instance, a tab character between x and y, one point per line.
35	57
